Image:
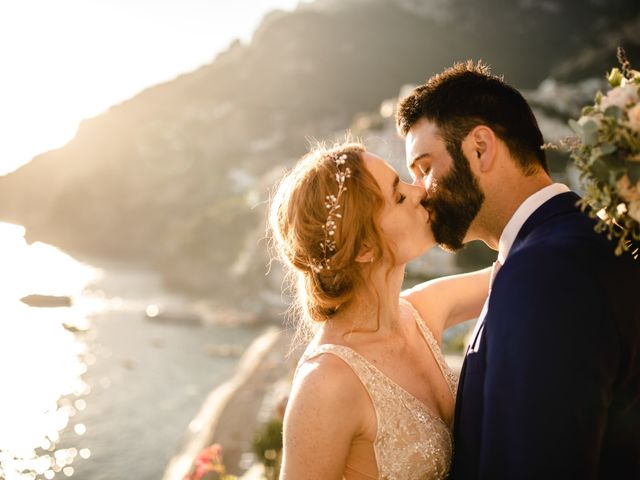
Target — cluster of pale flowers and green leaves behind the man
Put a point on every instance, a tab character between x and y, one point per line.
606	151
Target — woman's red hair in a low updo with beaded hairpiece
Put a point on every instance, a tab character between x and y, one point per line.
319	242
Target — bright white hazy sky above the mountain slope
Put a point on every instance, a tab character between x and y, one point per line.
65	60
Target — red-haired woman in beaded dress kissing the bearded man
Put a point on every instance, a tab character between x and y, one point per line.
372	397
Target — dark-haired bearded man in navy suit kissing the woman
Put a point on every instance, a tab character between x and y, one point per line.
550	386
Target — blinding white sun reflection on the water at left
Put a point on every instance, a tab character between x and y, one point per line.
41	360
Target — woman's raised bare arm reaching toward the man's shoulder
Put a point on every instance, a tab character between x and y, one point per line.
447	301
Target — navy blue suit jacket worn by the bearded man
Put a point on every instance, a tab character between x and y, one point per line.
553	390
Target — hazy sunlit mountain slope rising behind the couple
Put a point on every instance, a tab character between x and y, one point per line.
179	175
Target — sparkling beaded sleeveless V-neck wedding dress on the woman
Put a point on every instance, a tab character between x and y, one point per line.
412	441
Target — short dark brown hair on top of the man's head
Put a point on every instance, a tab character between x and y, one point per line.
467	95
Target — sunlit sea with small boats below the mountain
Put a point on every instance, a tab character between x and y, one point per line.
98	390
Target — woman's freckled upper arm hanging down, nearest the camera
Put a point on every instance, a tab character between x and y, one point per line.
320	420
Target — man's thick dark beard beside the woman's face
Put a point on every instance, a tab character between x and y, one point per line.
454	203
